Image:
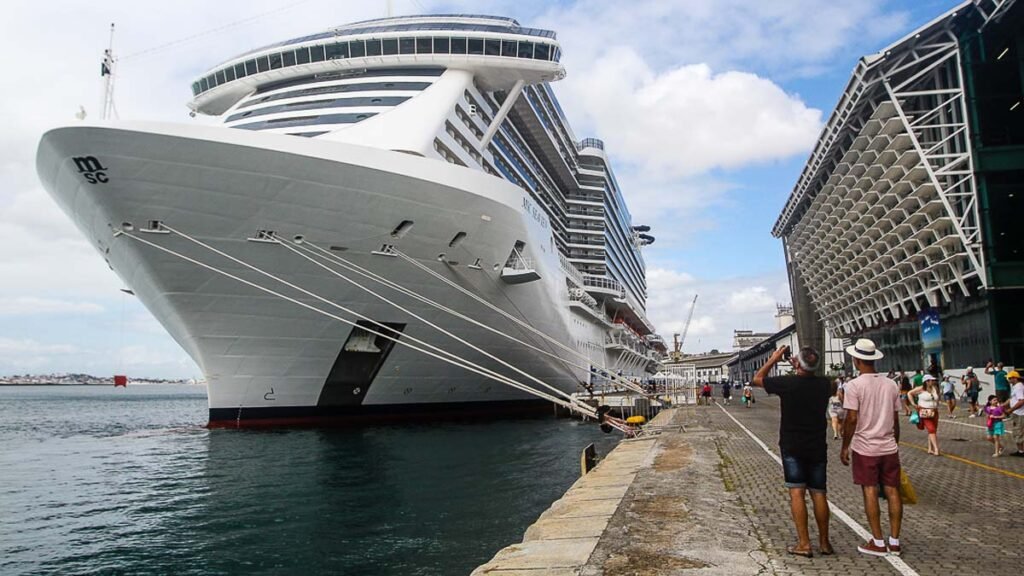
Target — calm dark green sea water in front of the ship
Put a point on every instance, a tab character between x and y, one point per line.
105	481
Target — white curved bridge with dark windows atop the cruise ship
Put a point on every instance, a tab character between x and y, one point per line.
497	51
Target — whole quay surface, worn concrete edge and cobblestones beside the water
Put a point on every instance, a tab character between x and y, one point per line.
711	502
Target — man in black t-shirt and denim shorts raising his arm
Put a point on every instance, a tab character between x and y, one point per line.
802	441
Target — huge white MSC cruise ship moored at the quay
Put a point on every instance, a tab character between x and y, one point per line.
379	184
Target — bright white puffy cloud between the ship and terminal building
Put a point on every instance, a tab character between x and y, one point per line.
690	120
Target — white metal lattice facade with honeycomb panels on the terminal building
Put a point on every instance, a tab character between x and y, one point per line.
884	220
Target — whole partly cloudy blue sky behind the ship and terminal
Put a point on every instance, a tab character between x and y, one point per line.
709	110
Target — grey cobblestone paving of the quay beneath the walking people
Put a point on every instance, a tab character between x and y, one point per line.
969	520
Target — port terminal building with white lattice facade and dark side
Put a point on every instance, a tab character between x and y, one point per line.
905	225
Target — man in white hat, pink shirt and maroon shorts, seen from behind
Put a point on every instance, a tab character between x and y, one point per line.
872	433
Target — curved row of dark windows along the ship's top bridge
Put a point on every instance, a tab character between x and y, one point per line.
375	48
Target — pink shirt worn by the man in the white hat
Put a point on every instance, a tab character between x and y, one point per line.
876	398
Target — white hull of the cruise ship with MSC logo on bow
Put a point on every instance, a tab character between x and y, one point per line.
265	357
